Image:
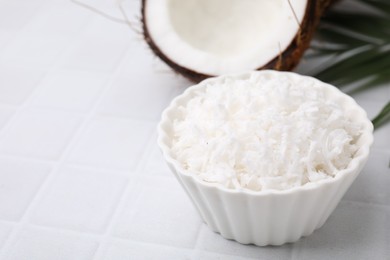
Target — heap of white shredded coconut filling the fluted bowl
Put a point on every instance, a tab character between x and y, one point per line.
263	132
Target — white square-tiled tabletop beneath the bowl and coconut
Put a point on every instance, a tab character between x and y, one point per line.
81	176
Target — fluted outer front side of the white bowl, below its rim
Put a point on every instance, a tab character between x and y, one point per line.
265	220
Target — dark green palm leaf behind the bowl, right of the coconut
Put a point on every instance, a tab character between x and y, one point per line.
356	43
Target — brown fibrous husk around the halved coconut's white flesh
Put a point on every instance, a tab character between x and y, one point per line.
287	59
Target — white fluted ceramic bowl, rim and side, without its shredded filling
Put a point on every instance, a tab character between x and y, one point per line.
269	217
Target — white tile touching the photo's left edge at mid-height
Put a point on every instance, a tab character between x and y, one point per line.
39	133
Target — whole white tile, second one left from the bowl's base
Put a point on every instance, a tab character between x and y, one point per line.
79	199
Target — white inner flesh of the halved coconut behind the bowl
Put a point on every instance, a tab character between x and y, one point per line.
216	37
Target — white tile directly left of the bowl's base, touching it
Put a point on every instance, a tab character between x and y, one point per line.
147	206
